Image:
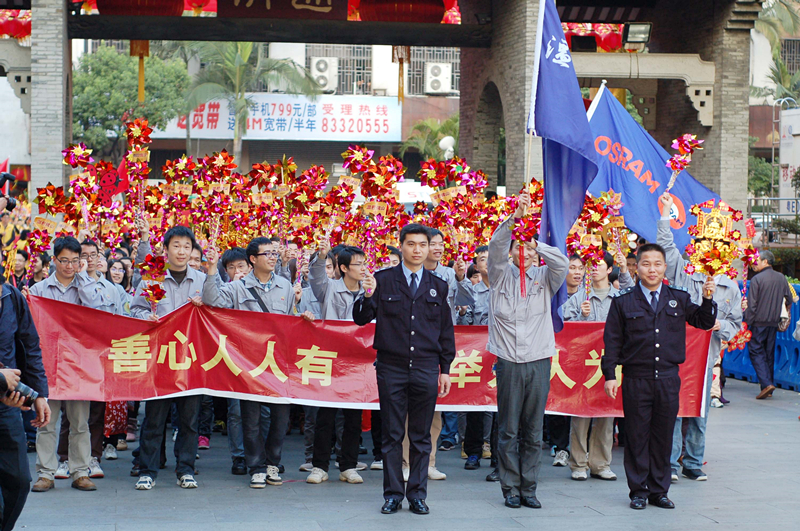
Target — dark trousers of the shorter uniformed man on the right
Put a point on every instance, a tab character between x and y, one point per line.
651	407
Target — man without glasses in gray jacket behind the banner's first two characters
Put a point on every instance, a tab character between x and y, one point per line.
183	285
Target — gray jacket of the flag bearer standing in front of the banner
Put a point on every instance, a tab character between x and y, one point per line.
521	330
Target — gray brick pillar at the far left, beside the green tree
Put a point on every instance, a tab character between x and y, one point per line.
51	105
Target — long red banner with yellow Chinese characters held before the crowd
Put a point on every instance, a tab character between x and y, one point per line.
91	355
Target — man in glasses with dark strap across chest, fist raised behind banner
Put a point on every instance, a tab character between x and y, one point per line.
260	291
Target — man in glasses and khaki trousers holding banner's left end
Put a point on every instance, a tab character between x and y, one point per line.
70	283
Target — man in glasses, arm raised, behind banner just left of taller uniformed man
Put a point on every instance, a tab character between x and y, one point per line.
336	298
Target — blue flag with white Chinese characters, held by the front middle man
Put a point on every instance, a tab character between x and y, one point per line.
559	117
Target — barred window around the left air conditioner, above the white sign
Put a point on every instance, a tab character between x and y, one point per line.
355	65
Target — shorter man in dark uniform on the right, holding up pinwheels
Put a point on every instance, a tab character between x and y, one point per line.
646	334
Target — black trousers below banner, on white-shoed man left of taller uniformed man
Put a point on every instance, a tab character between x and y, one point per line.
323	434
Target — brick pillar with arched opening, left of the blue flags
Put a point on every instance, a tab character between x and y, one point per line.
504	70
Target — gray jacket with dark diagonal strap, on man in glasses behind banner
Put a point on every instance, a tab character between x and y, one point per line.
279	298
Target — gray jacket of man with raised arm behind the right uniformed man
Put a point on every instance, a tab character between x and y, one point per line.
728	297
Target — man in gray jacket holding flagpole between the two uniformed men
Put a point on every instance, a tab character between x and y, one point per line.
521	335
